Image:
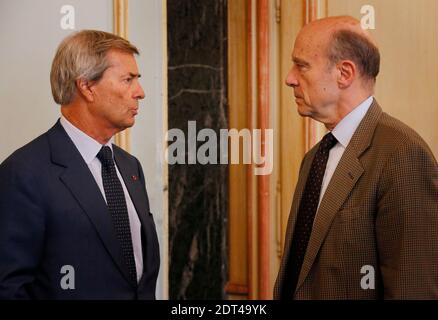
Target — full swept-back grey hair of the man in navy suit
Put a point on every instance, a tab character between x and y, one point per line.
83	55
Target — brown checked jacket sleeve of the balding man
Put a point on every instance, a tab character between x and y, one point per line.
407	224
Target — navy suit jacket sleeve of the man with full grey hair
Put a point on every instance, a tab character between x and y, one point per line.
21	229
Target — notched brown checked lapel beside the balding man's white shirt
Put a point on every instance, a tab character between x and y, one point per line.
345	177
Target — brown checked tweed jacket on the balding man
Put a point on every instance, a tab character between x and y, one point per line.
380	209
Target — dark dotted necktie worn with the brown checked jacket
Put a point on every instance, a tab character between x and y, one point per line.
306	215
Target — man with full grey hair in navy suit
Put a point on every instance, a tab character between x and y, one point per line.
75	221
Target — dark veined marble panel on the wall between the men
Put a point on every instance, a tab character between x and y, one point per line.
198	194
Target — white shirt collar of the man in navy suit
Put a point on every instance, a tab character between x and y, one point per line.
87	146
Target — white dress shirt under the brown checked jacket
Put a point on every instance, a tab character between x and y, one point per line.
343	132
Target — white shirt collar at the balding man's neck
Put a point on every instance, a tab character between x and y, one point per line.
345	129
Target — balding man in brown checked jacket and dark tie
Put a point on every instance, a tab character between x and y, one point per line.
364	217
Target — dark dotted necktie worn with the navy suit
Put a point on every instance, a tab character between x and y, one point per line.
115	199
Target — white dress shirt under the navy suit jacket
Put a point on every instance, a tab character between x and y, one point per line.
89	148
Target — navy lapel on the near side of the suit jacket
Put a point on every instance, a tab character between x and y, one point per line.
79	180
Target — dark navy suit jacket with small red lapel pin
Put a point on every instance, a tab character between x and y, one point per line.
53	214
